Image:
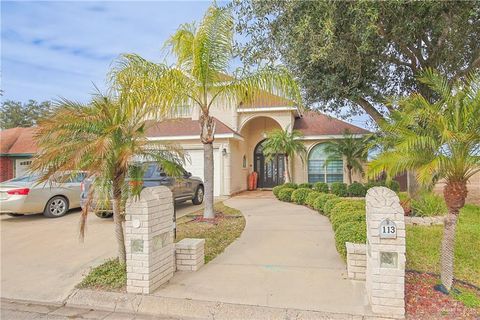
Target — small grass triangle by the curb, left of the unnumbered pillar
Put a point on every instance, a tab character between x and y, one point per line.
111	275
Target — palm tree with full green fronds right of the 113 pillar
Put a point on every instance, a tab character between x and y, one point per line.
437	139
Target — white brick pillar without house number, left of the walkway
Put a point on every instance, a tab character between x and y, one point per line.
149	240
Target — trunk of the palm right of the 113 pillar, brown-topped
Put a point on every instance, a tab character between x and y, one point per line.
454	193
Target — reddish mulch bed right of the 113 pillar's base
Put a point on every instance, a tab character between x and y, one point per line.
423	302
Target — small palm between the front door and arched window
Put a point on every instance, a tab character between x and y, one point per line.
284	142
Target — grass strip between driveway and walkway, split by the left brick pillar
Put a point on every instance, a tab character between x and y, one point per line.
112	276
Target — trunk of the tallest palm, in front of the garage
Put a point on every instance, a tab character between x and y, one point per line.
207	132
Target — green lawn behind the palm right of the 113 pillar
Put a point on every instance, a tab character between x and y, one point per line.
424	246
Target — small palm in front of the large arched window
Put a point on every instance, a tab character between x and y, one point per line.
354	150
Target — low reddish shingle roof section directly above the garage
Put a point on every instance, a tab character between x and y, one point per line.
182	127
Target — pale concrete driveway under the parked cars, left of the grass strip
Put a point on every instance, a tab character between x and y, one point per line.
43	259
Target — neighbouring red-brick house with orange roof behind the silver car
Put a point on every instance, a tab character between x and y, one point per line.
17	146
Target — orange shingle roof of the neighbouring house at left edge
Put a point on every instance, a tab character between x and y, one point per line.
18	141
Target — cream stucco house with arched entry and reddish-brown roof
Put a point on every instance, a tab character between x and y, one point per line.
239	134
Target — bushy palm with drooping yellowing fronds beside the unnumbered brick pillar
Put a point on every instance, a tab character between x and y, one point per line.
102	138
